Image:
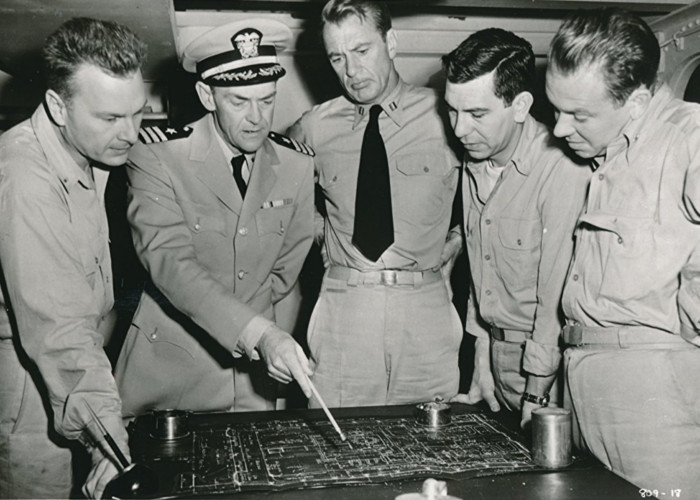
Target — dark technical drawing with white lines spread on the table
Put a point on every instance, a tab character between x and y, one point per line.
298	453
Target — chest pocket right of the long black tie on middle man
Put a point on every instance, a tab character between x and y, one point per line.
420	191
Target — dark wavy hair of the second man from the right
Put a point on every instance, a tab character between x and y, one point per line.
493	50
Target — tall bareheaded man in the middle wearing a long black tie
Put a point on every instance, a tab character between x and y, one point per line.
384	330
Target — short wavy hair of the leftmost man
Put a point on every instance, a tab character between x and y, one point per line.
113	48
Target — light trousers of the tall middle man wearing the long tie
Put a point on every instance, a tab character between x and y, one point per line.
375	344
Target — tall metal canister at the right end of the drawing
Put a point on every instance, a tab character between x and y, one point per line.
551	437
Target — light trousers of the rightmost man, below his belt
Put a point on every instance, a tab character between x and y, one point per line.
638	412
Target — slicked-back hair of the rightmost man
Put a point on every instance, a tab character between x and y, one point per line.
618	42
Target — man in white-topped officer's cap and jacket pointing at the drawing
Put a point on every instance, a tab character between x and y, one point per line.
221	214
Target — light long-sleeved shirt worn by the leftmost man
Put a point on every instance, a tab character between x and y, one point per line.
55	258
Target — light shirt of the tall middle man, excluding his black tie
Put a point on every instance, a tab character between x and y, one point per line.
424	174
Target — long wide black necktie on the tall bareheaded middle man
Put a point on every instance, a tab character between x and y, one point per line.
373	231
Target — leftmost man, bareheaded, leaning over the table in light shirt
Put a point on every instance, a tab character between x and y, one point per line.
54	251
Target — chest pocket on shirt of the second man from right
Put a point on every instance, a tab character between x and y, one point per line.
520	251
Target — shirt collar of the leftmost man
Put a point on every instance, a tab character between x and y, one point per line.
66	168
